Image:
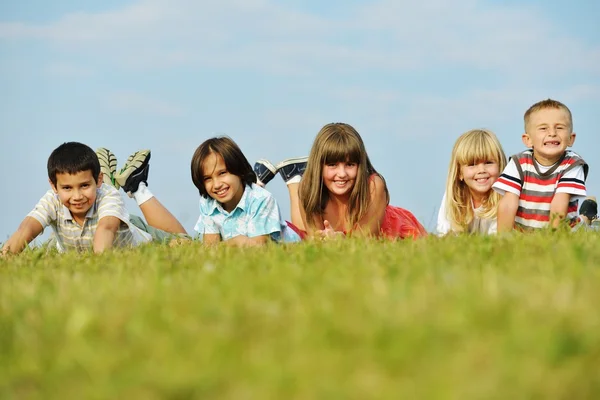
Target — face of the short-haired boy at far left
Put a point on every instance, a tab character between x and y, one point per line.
77	191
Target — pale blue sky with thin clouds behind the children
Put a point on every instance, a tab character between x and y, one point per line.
168	74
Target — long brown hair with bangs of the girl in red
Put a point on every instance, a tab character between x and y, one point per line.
336	142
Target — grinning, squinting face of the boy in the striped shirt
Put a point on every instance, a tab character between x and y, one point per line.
548	132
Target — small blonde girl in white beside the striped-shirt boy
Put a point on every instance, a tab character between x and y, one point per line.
469	204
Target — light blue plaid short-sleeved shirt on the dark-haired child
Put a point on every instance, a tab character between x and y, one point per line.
256	214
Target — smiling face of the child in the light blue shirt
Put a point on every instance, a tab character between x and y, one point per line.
221	185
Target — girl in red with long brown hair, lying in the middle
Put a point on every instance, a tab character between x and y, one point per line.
342	193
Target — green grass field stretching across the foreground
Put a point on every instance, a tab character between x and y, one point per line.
514	317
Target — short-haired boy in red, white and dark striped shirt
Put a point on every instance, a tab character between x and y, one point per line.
542	185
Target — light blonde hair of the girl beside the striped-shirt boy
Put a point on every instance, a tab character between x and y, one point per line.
472	146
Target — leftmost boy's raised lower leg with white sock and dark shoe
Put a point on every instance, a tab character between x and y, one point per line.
133	178
